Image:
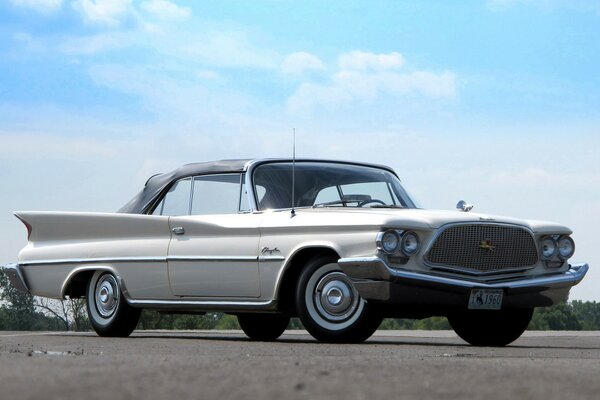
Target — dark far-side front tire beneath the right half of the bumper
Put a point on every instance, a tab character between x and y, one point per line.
490	327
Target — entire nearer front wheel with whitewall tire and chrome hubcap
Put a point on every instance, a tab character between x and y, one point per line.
329	305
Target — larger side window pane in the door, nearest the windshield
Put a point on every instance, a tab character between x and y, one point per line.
217	194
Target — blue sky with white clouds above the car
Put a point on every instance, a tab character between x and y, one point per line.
496	102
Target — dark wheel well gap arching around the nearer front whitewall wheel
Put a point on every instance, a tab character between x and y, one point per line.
287	289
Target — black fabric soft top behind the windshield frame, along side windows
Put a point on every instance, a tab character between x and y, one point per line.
158	183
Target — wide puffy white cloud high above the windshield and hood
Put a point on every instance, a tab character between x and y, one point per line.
363	77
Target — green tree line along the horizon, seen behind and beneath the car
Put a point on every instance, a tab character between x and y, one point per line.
24	312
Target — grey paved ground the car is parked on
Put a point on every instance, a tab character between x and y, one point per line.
224	365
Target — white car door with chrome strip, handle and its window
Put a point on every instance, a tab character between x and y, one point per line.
214	249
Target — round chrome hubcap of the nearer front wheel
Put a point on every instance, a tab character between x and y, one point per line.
335	297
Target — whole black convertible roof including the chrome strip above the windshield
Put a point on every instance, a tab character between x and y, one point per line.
158	183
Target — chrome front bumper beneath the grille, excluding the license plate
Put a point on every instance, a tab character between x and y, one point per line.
376	280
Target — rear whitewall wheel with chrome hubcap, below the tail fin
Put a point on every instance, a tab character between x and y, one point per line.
108	312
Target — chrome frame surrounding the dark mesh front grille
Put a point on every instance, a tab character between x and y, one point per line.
449	268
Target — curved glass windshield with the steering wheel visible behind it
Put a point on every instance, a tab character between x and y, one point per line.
321	184
